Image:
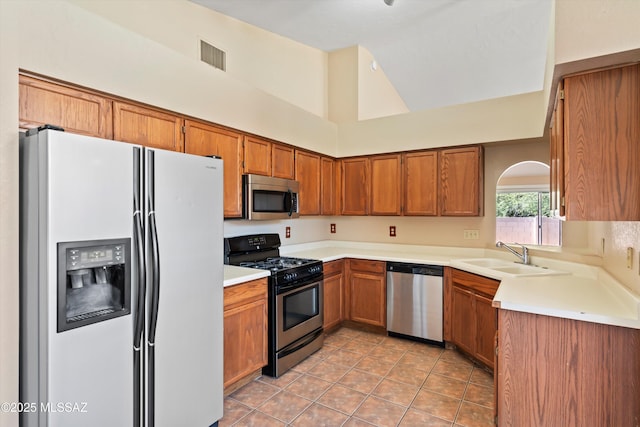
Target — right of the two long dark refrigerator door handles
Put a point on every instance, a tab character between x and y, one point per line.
154	295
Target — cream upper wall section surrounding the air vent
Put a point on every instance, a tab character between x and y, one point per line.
293	72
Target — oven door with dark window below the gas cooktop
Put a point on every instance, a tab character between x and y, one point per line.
298	312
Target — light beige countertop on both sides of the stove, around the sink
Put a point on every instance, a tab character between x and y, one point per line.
585	293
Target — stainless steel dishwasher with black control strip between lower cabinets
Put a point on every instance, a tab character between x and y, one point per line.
414	301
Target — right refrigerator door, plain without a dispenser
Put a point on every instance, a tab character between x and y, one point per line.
188	341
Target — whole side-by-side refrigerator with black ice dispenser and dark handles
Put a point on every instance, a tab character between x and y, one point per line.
121	282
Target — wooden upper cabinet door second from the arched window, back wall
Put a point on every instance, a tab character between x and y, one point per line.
420	178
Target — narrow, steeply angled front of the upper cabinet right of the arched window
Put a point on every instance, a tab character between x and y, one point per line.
556	163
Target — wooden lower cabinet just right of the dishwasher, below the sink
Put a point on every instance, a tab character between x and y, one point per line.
472	321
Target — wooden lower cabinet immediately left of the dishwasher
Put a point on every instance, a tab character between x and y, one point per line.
367	292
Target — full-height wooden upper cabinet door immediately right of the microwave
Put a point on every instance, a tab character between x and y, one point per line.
308	175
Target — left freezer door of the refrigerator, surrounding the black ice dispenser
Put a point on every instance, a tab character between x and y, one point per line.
83	192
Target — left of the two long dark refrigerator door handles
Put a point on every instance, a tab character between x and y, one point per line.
142	285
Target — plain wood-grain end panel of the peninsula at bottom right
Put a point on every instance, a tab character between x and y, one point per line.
563	372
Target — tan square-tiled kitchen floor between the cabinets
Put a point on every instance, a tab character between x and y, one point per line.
363	379
